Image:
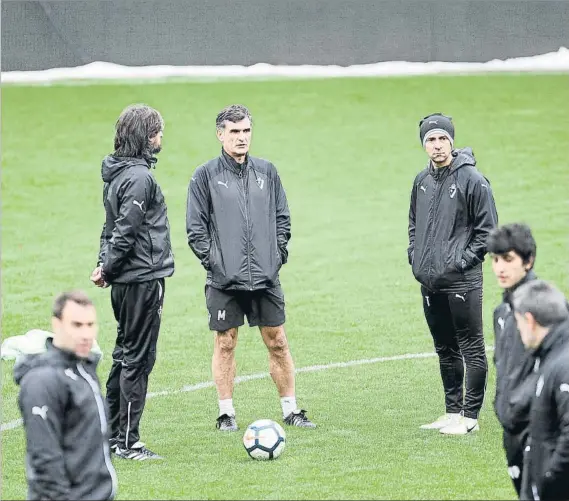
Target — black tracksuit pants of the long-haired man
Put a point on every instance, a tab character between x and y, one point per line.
137	308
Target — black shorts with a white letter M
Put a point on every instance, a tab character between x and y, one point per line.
227	308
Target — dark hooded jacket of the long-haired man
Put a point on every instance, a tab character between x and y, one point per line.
135	241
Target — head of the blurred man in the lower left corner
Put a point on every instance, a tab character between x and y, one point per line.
77	329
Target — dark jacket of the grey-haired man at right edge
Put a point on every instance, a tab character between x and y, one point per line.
546	476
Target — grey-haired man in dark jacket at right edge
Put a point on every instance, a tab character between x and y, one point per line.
542	318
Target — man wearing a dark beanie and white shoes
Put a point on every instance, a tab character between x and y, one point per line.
452	212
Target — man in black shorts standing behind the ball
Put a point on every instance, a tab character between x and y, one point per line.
238	225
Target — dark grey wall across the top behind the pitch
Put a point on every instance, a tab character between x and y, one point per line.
39	35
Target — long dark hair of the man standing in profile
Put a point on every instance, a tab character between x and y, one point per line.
134	128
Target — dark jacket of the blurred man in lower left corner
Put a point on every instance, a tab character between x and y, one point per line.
66	427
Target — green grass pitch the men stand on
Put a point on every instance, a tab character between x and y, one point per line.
347	152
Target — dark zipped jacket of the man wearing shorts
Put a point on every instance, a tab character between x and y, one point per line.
238	222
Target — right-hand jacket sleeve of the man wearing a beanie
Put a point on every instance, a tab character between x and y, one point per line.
483	216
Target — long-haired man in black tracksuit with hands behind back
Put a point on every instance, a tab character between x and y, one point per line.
135	258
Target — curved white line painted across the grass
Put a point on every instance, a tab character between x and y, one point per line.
261	375
